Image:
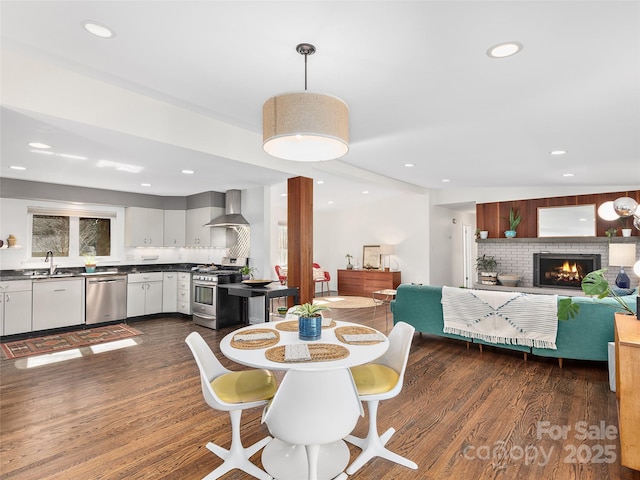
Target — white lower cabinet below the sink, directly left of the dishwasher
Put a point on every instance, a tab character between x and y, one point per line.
58	303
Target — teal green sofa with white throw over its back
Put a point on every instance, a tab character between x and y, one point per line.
585	337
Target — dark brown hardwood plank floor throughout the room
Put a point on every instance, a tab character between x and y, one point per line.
138	413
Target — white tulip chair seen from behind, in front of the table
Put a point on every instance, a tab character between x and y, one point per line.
314	408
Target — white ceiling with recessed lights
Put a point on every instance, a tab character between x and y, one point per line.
415	75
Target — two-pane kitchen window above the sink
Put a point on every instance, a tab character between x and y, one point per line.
71	233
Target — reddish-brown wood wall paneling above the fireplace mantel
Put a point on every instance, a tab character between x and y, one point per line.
494	216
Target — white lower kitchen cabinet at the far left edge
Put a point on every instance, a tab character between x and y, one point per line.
15	307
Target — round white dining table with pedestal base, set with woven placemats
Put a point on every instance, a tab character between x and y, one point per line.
280	459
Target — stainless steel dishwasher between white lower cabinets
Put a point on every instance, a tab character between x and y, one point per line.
106	298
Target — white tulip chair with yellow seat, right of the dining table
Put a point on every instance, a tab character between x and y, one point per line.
381	380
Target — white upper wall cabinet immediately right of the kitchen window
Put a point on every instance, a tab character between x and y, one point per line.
144	227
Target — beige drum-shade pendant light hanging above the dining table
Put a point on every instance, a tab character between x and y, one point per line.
305	126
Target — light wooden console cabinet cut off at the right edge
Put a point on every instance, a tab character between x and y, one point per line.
627	335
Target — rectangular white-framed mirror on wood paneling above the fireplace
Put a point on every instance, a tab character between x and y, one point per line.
571	221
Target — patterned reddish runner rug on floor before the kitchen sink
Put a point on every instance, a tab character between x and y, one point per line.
67	340
